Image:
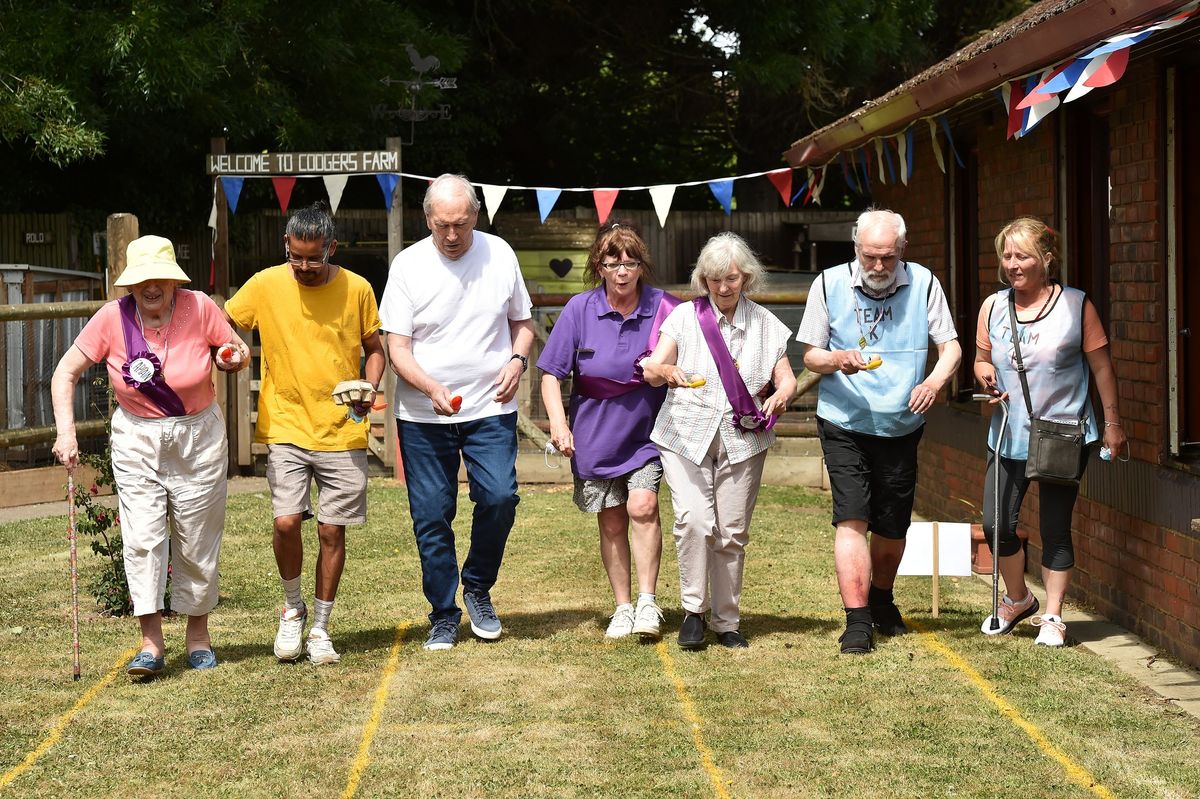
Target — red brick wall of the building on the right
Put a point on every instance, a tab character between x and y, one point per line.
1143	576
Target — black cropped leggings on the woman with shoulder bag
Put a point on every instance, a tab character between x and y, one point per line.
1057	506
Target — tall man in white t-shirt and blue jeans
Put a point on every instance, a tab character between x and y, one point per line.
458	316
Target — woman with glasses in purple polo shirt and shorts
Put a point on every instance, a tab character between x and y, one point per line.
598	340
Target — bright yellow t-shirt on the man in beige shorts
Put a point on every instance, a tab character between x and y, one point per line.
313	340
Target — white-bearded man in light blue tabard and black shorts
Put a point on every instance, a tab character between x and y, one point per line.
867	328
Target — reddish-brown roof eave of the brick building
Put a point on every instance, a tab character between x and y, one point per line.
1035	49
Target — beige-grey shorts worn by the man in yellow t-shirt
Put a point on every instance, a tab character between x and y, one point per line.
341	483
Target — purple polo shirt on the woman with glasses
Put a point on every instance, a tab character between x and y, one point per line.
613	437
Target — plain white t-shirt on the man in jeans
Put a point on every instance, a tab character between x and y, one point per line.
458	314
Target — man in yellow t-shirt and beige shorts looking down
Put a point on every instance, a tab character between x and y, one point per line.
315	321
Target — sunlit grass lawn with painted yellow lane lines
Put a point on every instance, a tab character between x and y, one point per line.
553	710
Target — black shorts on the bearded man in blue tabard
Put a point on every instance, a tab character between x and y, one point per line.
872	477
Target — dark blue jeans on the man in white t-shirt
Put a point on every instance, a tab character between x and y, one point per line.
431	455
